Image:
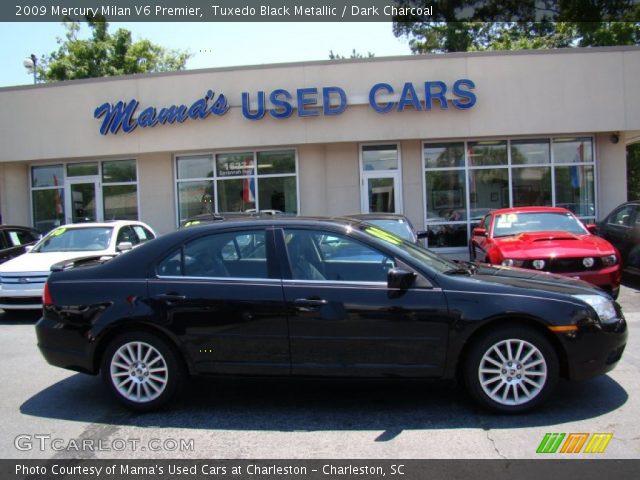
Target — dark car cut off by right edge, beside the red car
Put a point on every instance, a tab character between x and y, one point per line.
622	229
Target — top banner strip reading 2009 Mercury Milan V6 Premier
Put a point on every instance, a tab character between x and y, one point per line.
317	10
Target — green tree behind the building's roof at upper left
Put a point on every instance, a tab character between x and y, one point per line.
105	54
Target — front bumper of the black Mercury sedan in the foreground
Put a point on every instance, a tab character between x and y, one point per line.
595	349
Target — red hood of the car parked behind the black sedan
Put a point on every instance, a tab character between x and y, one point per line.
553	244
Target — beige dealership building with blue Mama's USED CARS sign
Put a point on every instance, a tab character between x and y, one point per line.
440	138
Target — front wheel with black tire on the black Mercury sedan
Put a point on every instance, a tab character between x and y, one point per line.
528	380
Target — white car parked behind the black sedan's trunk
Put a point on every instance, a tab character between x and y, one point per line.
22	278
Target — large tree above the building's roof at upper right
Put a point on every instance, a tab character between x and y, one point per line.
468	25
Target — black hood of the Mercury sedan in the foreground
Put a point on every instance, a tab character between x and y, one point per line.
532	280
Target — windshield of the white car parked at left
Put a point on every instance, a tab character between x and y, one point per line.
64	239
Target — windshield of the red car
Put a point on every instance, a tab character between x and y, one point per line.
507	224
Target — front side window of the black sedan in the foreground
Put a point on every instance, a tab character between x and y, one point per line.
316	255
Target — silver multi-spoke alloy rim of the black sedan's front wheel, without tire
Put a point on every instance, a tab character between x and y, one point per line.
512	372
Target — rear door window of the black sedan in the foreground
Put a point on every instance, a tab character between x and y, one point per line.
231	255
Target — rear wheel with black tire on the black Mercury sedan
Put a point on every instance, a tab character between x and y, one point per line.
132	350
